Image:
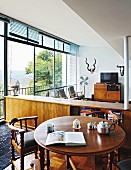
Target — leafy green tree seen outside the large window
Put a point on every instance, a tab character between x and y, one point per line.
44	69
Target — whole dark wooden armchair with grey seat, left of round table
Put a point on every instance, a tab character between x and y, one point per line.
22	139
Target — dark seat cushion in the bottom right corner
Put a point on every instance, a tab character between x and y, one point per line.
124	165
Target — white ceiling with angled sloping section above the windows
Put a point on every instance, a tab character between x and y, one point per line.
94	23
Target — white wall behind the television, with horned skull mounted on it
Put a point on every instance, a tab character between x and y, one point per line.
106	61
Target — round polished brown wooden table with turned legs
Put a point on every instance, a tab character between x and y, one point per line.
96	144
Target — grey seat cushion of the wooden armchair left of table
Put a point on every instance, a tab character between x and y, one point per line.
28	139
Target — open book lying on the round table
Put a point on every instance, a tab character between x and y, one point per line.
67	138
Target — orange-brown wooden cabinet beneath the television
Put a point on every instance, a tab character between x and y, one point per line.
107	92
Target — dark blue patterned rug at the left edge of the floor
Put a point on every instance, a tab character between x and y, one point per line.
4	146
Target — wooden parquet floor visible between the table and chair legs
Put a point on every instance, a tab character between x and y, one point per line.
58	162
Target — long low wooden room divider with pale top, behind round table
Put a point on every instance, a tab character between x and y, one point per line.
47	107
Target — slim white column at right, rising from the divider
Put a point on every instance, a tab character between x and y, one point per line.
126	75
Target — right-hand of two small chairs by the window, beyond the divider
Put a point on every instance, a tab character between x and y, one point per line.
74	94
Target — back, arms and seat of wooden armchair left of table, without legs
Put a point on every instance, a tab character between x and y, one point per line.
22	135
